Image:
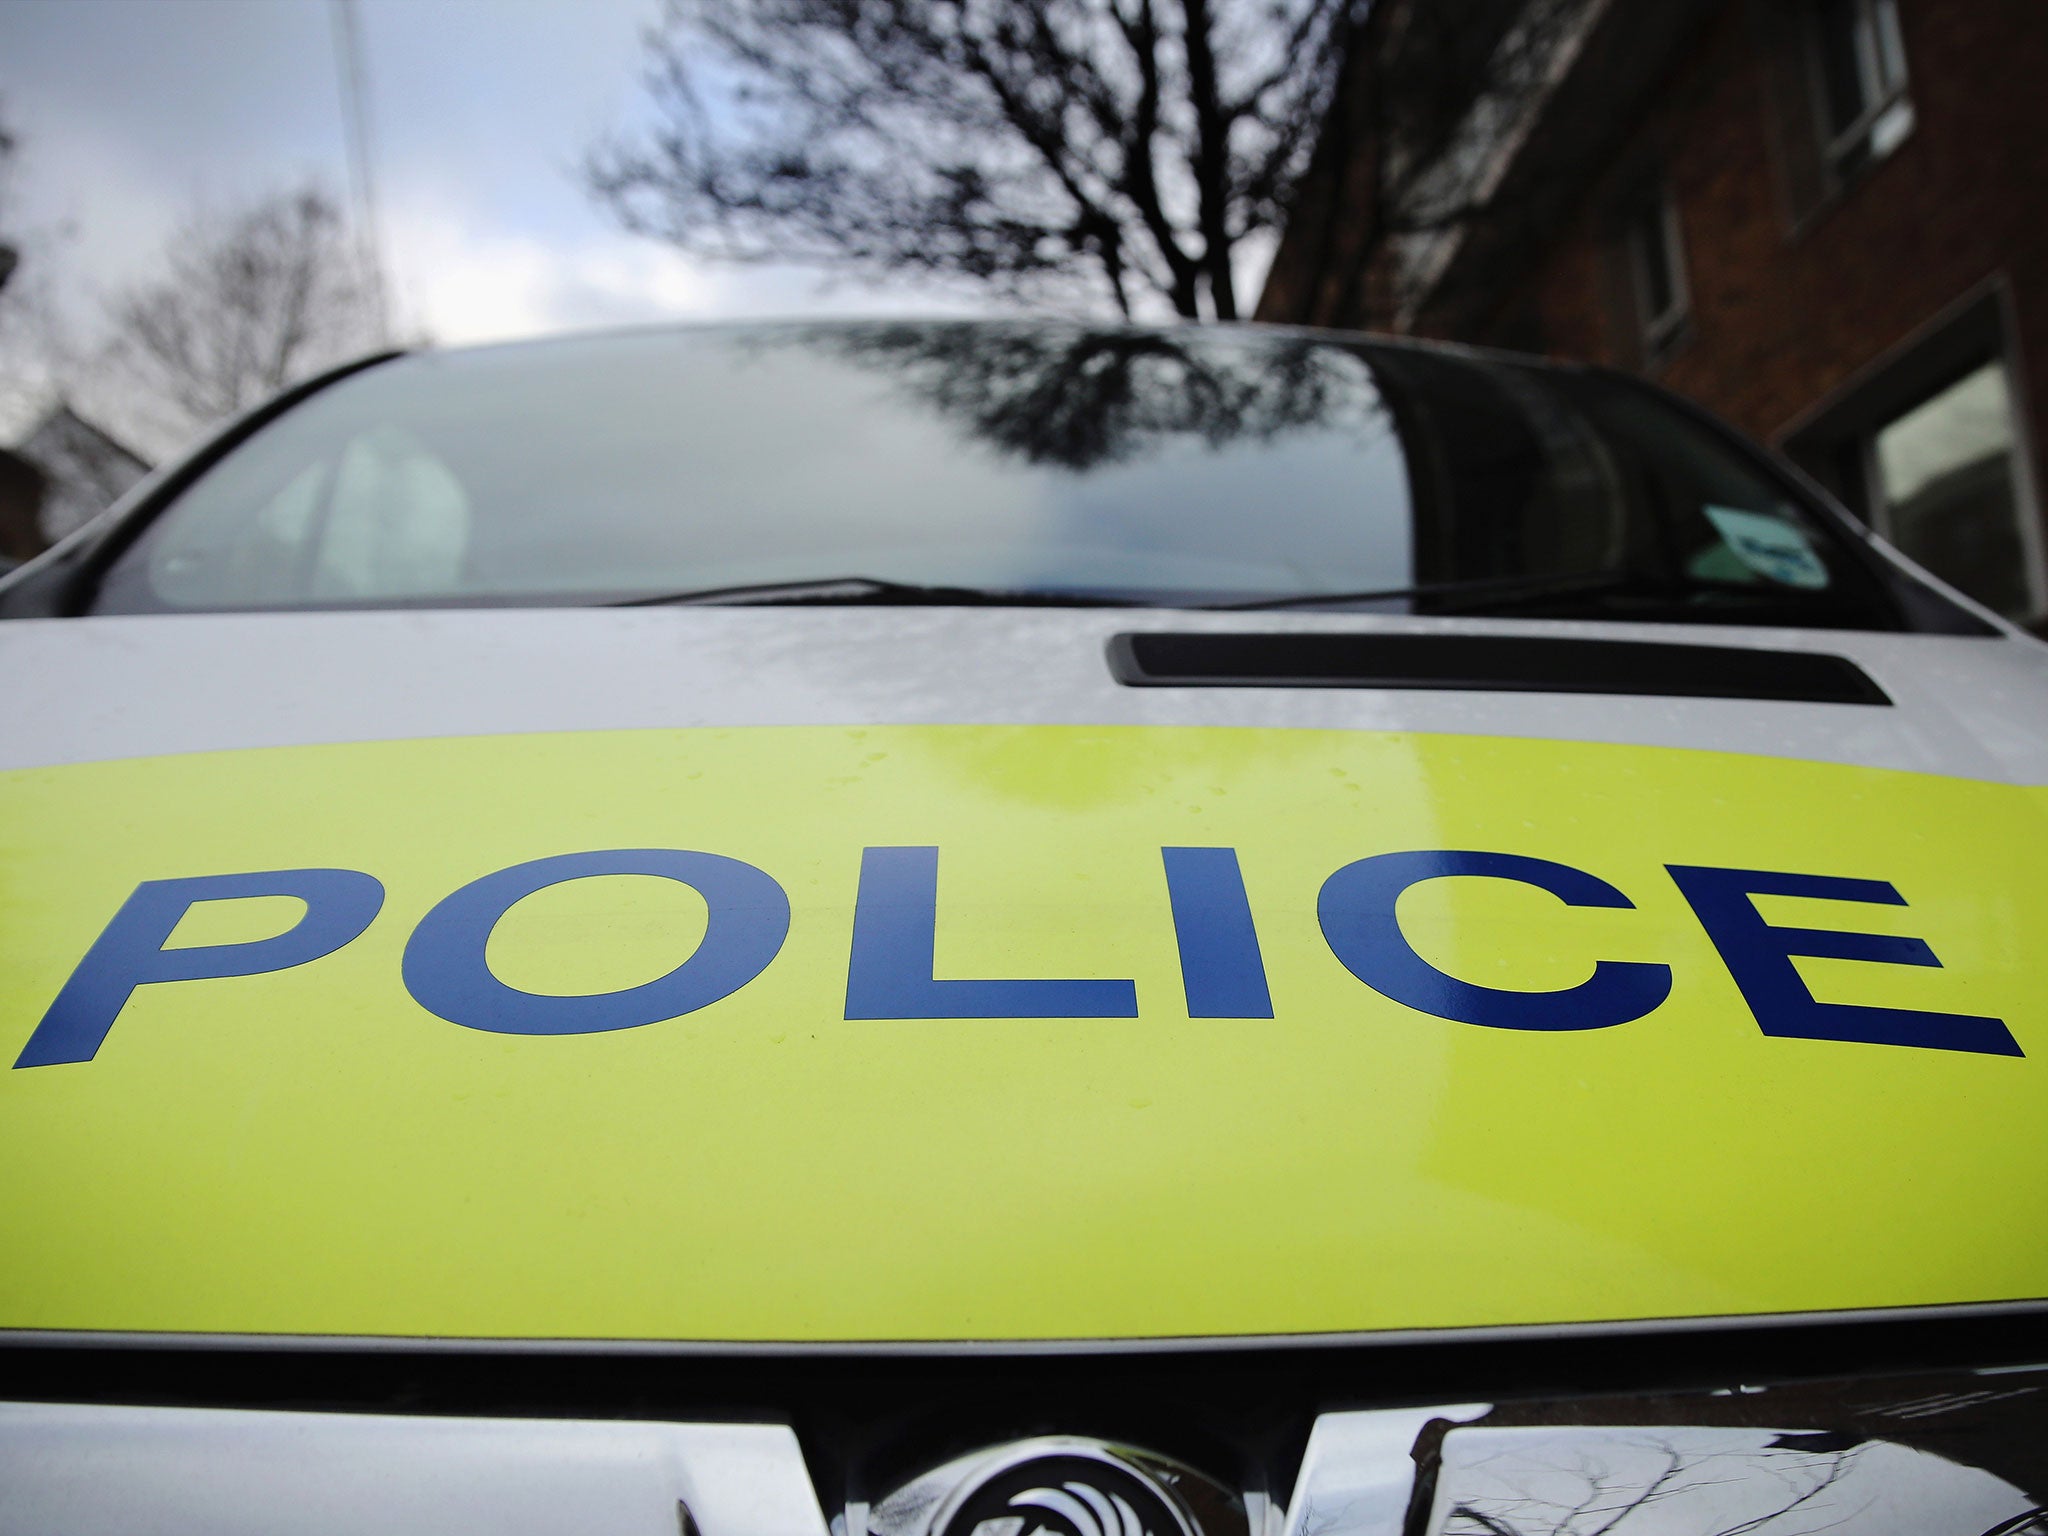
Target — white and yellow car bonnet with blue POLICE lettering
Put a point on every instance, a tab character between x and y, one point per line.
863	974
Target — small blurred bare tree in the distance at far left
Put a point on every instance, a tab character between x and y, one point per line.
247	304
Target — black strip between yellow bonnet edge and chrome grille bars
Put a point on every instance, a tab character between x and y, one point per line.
888	1383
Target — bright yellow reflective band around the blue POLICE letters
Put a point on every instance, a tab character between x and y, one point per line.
312	1152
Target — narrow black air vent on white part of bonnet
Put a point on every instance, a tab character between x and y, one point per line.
1488	663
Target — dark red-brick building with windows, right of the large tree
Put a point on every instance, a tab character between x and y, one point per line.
1826	220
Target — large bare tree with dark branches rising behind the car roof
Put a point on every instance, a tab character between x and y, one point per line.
1125	151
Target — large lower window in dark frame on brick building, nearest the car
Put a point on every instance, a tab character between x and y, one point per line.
1932	454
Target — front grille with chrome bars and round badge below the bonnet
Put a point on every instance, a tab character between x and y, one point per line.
1891	1424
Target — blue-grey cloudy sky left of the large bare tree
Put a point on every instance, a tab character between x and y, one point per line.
134	112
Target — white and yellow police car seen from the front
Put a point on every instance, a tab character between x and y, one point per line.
1005	929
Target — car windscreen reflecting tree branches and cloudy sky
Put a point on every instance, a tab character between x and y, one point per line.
1002	462
